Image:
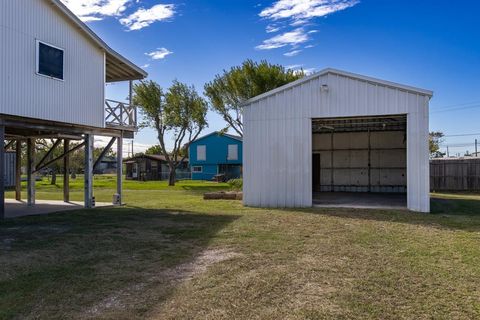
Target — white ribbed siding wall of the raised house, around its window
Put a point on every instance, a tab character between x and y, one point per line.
79	99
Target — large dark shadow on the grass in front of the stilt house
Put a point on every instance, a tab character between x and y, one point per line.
99	262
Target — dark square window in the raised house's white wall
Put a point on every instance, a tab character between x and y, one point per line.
49	61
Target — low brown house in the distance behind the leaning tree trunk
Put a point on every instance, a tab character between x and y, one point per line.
147	167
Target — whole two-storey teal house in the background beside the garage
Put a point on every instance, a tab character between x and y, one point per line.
216	154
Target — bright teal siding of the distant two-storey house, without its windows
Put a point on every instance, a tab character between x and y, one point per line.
216	152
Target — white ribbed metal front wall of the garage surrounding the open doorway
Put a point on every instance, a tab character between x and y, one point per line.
278	137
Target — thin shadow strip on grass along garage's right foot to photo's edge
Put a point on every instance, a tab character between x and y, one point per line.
455	214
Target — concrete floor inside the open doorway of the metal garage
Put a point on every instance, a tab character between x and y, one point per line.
360	200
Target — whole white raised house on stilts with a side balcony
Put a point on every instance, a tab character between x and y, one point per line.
52	85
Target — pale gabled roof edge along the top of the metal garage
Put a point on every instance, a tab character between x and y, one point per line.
341	73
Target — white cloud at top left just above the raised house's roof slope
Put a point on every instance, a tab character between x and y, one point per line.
93	10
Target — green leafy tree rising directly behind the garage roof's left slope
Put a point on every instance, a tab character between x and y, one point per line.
228	91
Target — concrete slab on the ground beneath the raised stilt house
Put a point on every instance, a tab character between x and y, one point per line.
14	209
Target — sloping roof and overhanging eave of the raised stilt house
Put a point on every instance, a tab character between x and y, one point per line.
118	68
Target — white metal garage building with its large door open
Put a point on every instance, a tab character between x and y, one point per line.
337	138
